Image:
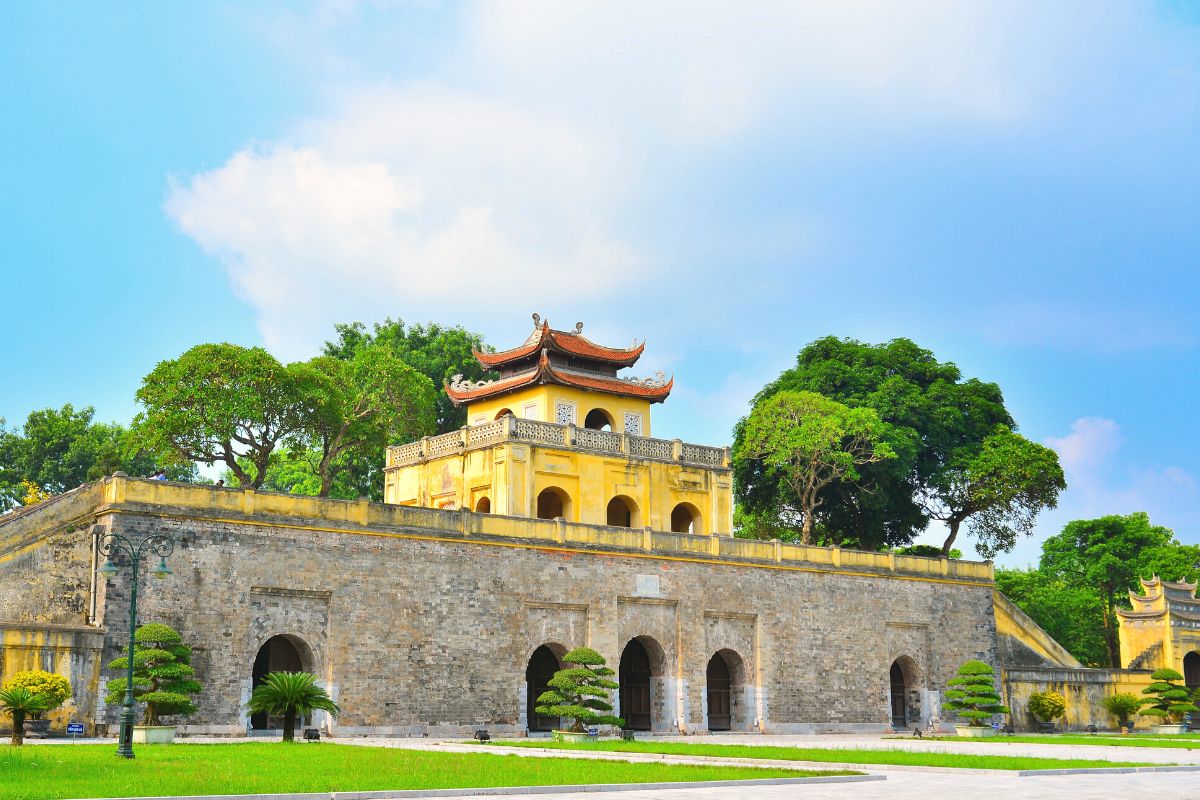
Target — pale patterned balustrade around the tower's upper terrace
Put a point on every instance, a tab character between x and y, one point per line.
554	435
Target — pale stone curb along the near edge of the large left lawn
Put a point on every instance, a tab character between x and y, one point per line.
577	789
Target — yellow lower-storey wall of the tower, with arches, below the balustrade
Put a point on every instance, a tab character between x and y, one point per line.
513	476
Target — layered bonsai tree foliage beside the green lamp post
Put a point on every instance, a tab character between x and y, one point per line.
163	675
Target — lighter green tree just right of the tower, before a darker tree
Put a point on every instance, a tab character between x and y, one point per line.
808	442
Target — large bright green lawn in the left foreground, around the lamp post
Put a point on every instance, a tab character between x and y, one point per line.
57	772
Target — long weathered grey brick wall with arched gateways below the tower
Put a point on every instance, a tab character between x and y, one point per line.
428	630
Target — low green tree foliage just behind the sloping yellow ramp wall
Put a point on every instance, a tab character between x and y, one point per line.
1071	612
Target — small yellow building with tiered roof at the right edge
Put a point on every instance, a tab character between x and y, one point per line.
1162	629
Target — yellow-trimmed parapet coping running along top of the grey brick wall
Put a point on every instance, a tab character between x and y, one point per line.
142	496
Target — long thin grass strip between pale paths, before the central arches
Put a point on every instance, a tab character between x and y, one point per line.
909	759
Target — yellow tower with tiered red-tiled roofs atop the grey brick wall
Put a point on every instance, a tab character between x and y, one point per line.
561	435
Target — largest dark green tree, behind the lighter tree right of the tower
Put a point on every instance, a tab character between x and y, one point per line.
935	419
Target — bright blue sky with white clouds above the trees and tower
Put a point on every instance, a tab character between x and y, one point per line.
1013	185
